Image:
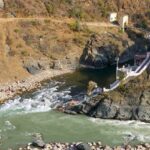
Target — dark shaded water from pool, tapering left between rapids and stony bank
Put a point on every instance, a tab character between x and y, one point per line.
77	82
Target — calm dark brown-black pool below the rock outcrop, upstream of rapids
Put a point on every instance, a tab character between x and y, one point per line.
79	79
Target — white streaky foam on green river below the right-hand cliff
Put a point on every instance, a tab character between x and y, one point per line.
129	130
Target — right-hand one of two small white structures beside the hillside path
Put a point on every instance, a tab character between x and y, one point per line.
124	21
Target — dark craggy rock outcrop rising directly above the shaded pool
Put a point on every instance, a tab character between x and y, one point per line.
102	50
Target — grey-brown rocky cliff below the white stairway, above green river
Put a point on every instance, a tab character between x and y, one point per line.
131	101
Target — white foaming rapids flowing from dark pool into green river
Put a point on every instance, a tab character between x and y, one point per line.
41	101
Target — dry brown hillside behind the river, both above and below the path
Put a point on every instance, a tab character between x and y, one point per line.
29	46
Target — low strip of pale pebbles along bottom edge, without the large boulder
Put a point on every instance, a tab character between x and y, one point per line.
85	146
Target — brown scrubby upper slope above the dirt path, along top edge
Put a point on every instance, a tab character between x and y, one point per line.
83	9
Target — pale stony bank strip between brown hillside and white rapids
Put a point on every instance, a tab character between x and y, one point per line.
9	90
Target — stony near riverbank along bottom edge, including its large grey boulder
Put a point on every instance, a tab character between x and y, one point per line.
39	144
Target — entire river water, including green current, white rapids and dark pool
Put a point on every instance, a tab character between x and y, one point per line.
33	113
